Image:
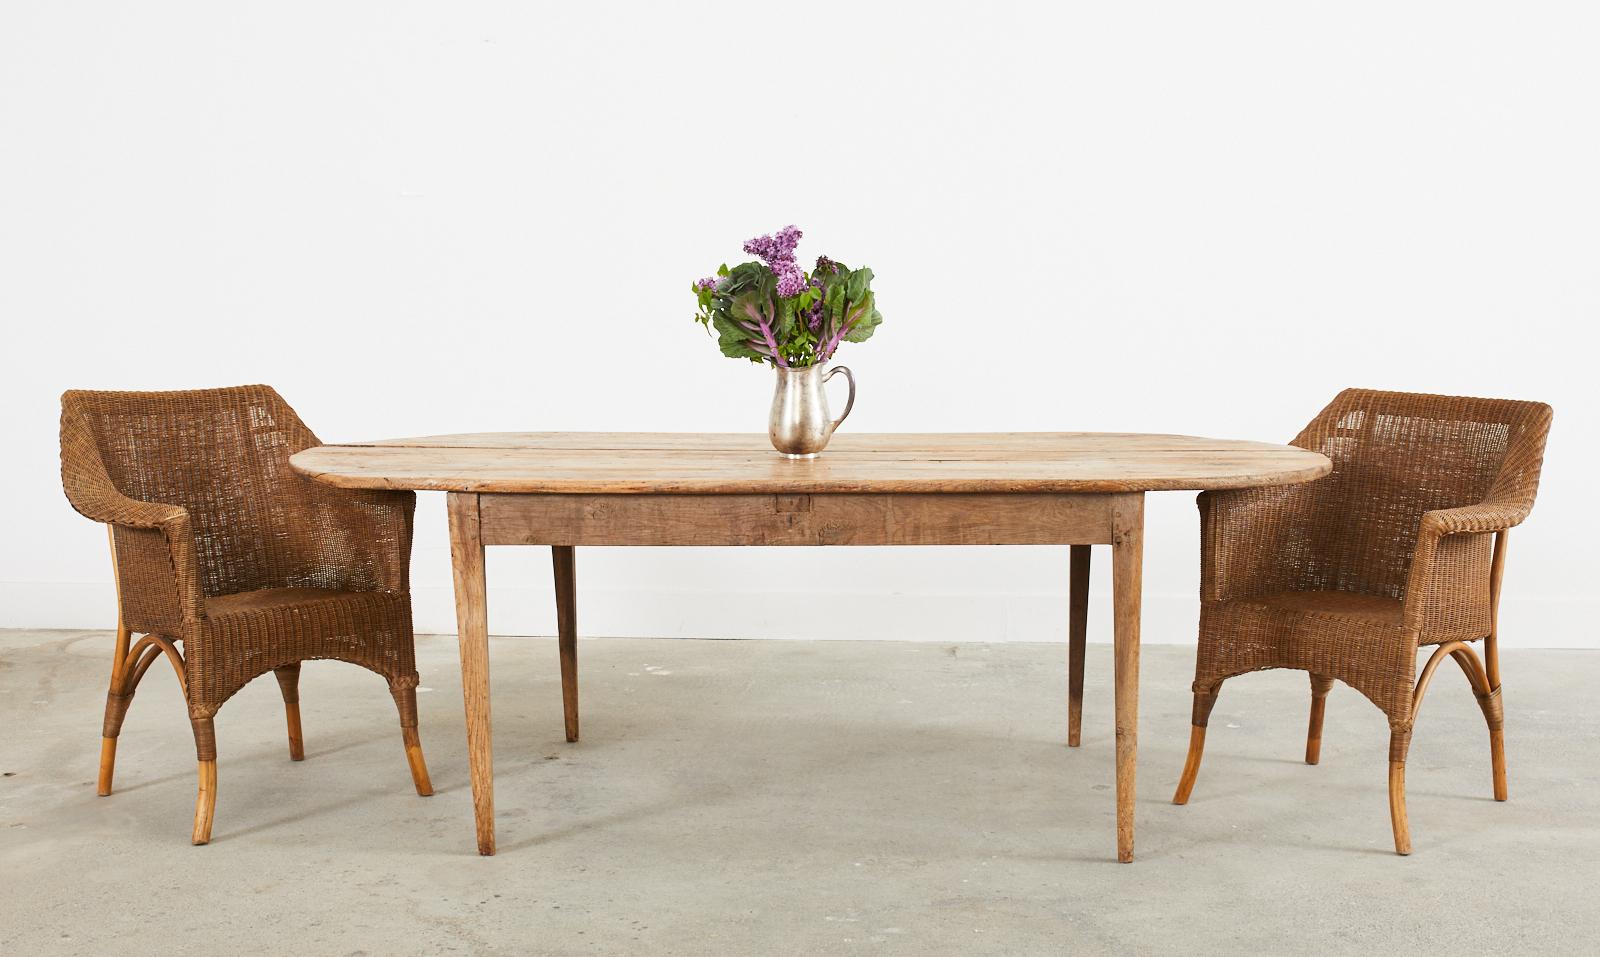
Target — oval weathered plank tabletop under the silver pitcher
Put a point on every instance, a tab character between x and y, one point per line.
732	463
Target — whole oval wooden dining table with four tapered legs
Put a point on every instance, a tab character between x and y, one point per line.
639	489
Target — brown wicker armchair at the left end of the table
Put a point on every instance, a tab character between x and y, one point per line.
230	564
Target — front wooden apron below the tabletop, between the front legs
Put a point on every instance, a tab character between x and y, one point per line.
850	519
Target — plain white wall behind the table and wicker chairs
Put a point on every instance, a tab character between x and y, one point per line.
468	217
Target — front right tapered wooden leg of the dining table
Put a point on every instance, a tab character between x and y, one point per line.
1127	574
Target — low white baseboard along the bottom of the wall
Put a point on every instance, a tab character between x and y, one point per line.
671	614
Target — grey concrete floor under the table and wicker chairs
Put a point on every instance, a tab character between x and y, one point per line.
791	798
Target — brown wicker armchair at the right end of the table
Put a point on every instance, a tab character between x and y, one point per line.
1401	547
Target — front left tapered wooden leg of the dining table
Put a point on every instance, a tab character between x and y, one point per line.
466	556
